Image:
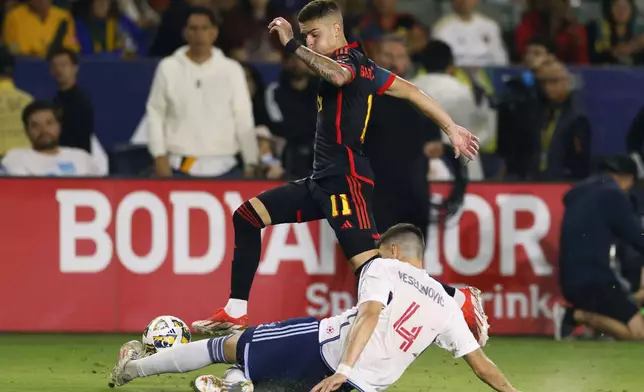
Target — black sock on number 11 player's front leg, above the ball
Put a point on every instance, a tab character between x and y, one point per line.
248	249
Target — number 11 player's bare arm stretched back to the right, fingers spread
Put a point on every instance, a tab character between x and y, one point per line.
462	140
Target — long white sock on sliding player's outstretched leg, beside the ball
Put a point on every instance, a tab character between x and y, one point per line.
180	359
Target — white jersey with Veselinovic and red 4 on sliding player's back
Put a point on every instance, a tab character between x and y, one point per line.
417	312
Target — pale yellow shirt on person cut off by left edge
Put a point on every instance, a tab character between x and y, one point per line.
12	102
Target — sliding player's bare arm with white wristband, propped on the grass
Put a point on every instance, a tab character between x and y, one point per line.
359	335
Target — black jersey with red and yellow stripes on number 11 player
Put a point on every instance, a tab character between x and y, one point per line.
343	116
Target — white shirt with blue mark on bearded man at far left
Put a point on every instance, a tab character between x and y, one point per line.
70	162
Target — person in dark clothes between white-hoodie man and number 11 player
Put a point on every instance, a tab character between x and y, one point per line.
291	104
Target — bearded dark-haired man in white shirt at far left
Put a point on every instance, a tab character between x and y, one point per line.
46	157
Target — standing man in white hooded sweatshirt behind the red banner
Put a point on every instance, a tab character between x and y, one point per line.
199	110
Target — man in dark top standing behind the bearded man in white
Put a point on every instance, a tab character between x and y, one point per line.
77	110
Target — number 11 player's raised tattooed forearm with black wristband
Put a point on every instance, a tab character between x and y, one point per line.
325	67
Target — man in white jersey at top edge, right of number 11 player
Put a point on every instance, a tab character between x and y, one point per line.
475	39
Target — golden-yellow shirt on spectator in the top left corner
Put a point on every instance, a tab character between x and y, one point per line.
25	33
